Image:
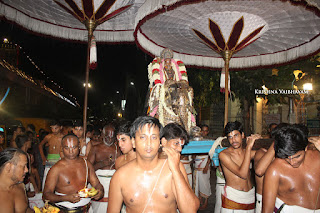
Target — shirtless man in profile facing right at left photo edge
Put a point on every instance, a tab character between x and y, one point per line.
13	169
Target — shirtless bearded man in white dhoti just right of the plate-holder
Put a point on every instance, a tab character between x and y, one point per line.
103	157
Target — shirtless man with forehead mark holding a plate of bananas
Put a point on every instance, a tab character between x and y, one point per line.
68	176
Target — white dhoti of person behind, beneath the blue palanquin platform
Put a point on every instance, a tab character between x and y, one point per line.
201	181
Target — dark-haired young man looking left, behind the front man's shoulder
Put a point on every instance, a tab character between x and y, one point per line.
125	144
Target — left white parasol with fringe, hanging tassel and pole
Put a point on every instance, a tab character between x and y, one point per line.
110	20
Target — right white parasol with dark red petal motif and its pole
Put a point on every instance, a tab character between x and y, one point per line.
229	33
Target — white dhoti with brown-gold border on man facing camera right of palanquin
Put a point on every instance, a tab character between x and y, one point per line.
237	201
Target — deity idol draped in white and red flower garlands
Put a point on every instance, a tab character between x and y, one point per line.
171	97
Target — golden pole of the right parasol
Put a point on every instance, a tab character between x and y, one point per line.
226	56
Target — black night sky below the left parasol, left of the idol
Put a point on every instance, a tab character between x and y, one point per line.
64	62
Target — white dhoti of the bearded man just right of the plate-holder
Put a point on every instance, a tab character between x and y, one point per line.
104	177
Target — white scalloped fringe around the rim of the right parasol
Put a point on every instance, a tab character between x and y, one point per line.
152	8
